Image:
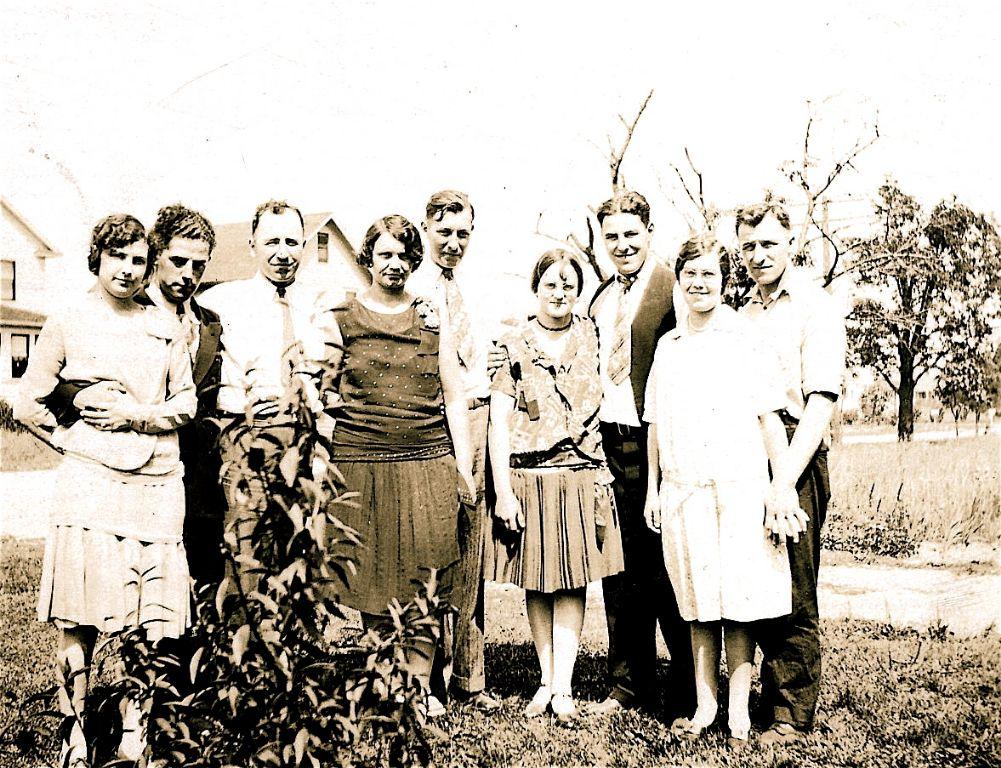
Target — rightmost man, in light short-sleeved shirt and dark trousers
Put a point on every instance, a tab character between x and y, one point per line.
803	326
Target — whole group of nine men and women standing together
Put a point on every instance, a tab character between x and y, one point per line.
682	464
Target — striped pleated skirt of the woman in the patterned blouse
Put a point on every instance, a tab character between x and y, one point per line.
559	549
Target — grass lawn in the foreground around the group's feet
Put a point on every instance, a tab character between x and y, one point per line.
890	698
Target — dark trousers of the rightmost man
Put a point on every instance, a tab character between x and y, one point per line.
790	645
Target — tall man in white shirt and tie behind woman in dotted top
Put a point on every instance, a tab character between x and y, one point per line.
449	226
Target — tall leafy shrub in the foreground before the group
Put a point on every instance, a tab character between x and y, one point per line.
274	681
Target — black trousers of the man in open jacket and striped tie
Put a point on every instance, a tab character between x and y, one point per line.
642	596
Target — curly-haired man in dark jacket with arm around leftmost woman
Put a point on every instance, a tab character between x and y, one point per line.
182	243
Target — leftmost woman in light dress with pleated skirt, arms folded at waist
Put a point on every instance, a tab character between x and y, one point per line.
114	557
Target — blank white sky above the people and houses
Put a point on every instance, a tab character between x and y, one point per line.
365	109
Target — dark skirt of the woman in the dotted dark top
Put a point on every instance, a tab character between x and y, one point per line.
408	517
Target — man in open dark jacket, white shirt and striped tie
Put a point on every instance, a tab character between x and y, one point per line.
633	311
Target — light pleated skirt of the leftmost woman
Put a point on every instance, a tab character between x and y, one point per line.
96	575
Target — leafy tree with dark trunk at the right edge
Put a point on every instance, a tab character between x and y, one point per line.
932	295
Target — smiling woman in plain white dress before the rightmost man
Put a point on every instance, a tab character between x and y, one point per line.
712	407
